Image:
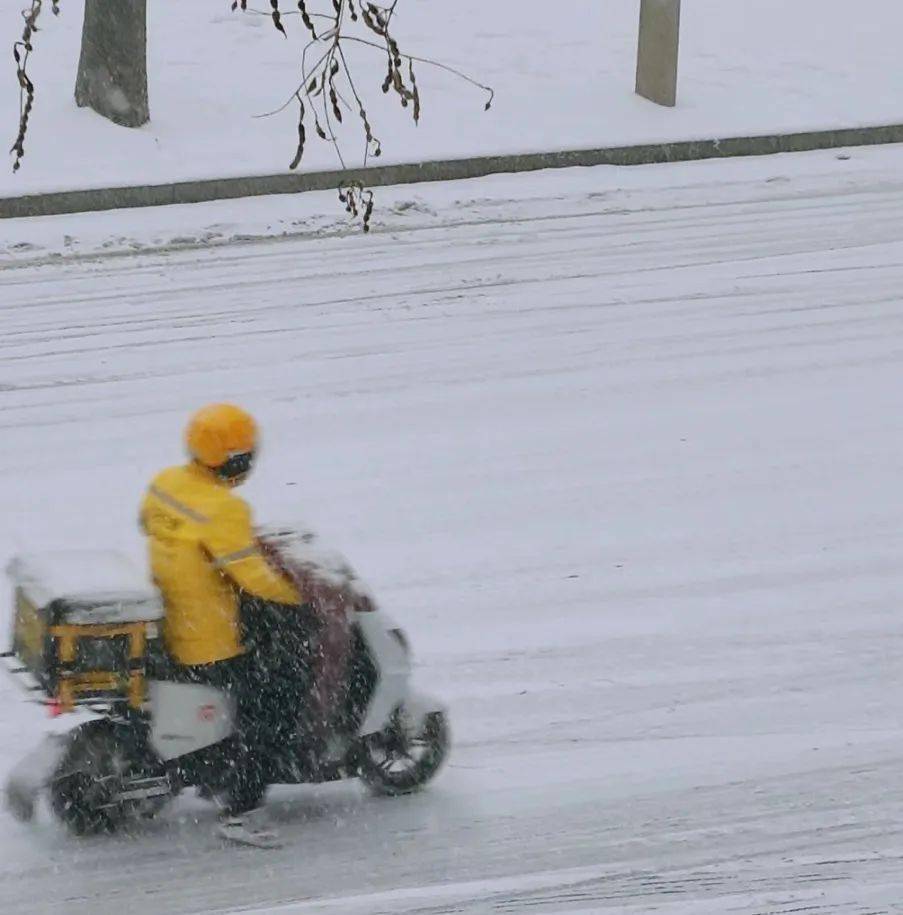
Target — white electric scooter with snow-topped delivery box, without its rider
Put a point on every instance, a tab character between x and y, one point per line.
146	735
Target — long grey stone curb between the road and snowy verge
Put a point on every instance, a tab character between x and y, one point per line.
91	200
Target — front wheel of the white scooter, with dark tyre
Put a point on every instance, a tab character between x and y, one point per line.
402	759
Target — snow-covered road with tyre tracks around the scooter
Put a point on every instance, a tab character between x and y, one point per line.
624	462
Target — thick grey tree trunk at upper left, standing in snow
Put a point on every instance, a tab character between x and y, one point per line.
112	72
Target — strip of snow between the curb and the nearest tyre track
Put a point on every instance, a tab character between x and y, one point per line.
554	193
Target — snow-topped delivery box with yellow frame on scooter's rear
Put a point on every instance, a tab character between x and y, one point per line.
83	625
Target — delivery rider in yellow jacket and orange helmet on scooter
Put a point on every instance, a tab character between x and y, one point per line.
207	564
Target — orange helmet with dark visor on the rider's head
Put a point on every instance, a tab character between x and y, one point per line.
224	438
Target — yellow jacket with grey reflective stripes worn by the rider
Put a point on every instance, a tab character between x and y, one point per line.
202	551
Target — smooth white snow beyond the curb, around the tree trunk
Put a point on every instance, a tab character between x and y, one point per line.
563	72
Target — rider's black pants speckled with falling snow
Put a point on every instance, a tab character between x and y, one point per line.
270	686
